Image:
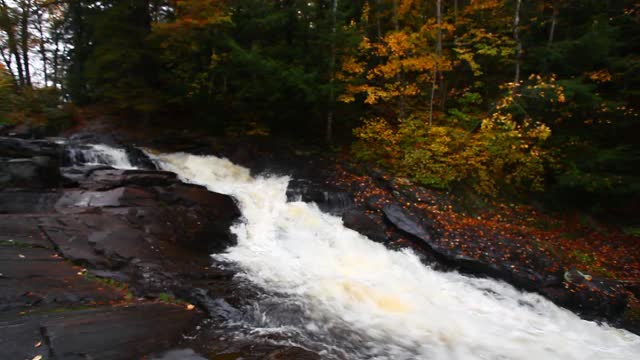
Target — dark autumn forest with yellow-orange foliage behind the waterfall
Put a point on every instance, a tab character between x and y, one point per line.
514	98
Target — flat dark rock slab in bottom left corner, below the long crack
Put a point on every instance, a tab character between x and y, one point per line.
121	332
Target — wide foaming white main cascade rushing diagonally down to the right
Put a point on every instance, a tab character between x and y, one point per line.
350	298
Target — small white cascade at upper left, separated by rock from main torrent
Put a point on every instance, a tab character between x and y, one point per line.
100	154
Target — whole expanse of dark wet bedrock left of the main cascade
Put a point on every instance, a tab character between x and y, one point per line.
102	263
